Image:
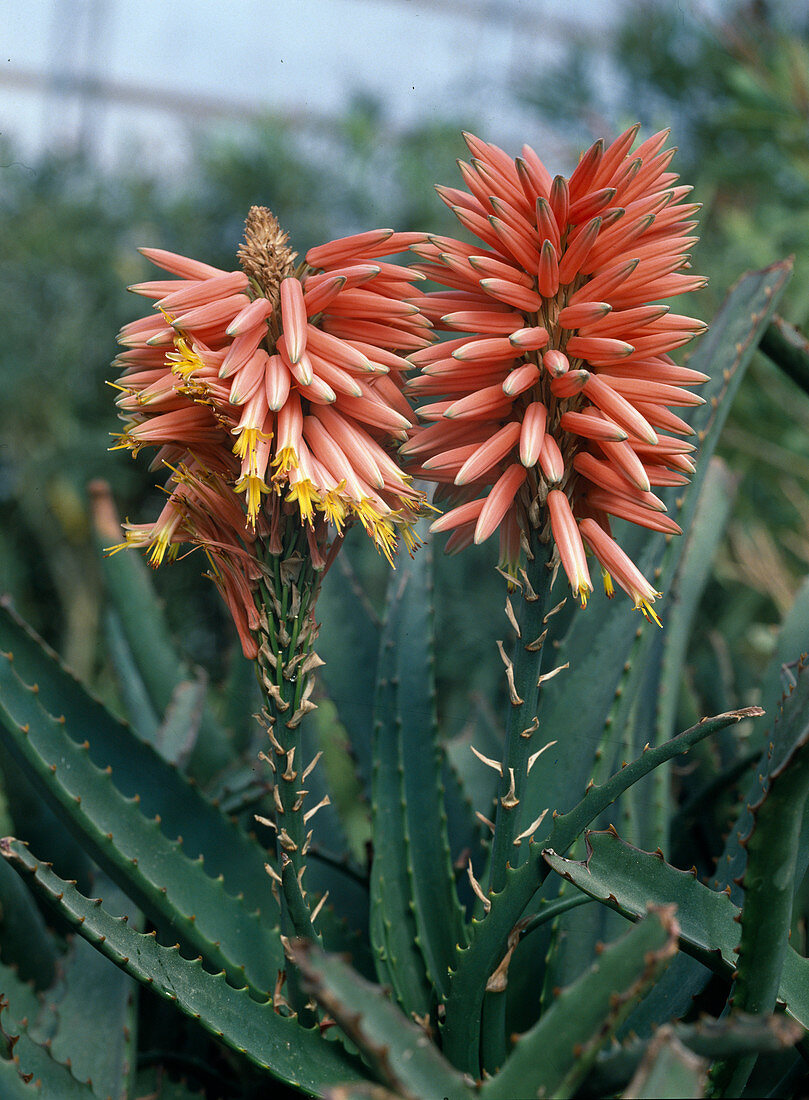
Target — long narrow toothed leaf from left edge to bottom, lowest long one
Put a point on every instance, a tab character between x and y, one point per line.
292	1053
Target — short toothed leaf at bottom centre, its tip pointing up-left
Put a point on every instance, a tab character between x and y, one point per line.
401	1053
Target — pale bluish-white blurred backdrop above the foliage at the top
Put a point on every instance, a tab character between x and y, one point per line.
165	70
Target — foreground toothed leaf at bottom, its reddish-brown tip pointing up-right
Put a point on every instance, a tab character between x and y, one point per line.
554	1057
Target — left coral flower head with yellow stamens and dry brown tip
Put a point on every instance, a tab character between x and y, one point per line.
272	394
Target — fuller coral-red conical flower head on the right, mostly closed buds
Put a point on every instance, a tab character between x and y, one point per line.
553	406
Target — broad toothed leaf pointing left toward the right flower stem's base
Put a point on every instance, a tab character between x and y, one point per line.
628	881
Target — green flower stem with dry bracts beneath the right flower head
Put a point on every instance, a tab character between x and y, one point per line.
523	674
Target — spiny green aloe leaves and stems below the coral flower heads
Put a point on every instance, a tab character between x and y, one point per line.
496	915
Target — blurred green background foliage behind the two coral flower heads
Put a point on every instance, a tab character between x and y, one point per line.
736	93
